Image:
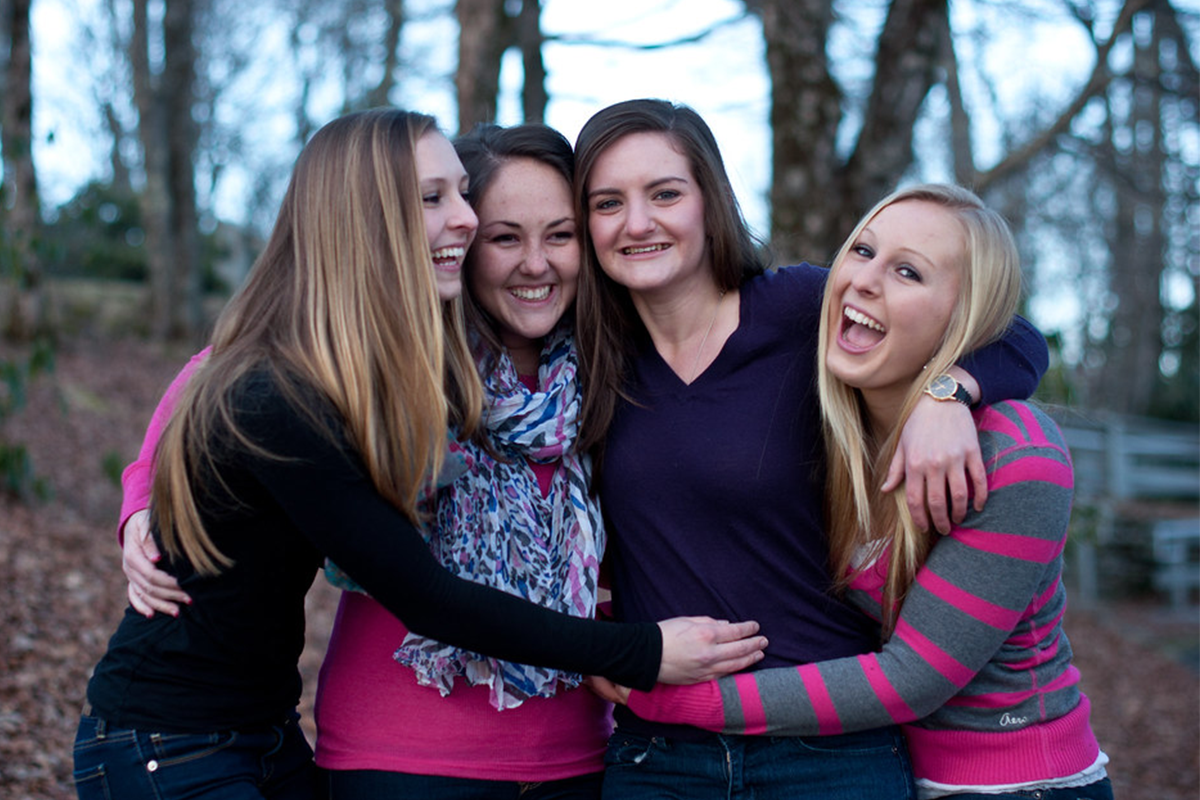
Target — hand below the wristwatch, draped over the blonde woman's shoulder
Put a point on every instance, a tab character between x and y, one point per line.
939	454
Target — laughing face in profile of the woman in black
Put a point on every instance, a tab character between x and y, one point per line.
449	221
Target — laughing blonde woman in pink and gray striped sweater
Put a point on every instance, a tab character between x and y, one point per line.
975	663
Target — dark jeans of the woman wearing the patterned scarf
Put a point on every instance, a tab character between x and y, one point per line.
361	785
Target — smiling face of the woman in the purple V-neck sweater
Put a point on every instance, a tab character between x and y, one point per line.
646	216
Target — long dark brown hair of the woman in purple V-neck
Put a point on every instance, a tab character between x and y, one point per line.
609	324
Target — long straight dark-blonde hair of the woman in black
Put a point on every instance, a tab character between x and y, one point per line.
343	304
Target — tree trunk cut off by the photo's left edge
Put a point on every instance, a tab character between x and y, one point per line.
28	314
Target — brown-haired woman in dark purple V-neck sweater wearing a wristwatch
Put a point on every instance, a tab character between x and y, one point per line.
703	414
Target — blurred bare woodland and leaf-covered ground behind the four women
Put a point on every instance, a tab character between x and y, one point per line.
105	293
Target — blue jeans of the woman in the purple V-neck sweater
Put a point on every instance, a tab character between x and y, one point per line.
868	766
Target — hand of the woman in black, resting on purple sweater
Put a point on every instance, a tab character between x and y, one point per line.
700	648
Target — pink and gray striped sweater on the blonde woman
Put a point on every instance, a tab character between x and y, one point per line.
979	670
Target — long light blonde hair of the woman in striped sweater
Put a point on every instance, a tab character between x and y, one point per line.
863	522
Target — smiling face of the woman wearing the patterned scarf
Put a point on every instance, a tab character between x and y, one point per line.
525	267
